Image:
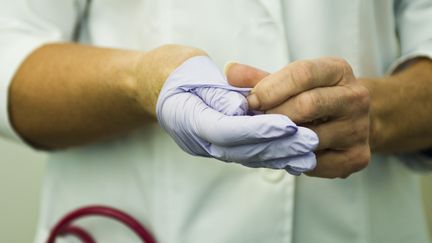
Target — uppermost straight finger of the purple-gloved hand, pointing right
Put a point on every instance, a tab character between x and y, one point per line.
216	128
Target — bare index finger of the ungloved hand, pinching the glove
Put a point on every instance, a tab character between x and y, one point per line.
296	78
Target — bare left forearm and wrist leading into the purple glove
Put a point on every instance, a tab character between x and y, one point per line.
86	94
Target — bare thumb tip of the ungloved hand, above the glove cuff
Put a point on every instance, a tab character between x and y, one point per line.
243	76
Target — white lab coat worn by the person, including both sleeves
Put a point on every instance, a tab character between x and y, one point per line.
189	199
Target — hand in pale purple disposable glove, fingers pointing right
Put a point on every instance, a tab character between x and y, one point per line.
208	117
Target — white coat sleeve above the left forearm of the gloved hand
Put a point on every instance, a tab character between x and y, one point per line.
24	26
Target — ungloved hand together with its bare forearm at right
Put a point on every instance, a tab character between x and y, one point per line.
352	116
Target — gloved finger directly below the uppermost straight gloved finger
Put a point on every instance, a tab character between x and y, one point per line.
302	142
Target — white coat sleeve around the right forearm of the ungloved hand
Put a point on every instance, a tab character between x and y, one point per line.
414	29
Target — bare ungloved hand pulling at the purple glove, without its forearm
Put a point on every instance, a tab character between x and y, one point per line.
321	94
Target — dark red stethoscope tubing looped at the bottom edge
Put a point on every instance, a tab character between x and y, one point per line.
64	227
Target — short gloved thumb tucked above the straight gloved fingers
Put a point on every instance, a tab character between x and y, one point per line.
228	102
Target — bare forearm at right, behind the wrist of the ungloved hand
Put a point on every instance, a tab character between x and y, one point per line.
401	109
